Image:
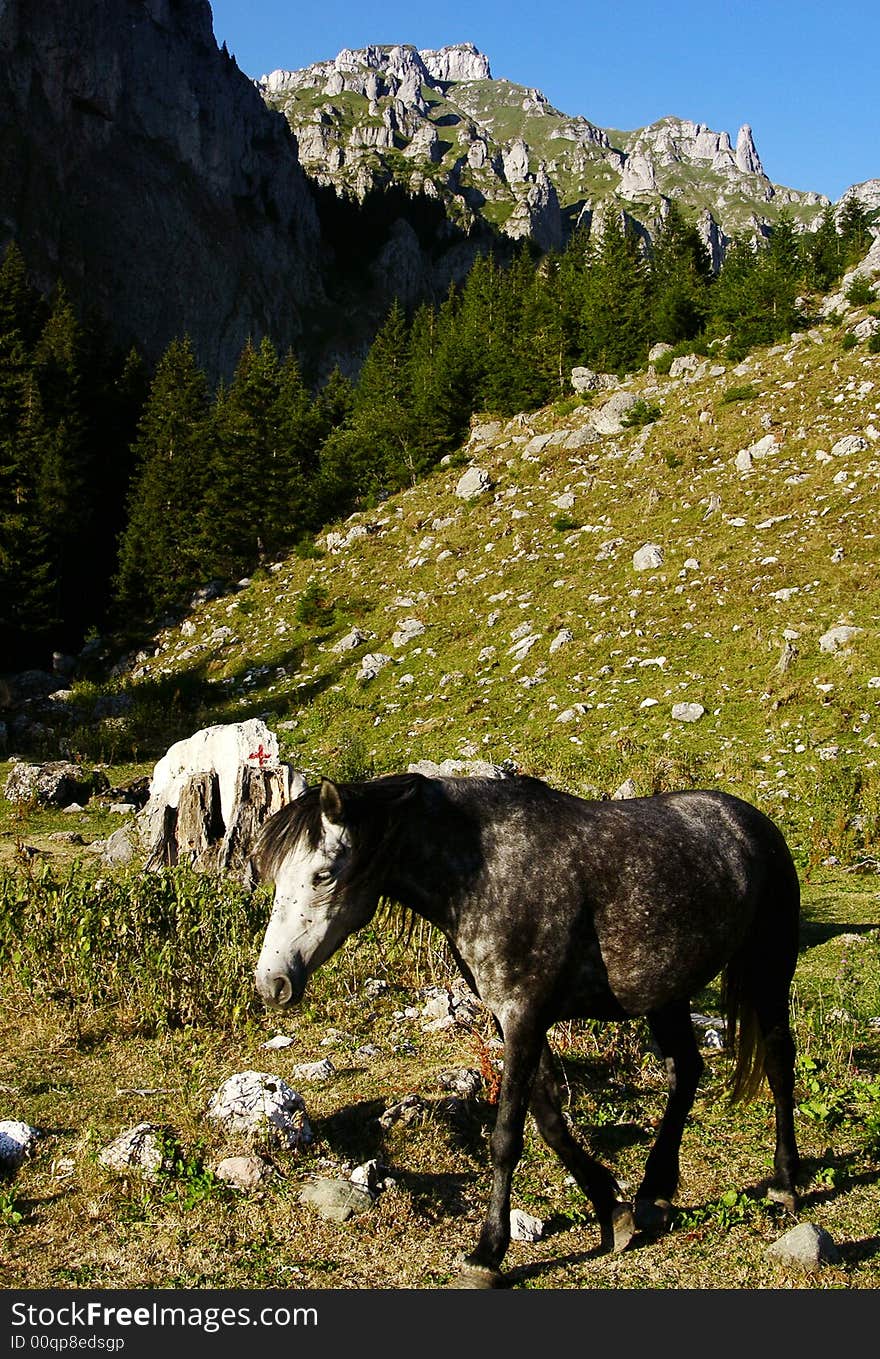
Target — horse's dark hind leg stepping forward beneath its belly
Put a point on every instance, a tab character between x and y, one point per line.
674	1035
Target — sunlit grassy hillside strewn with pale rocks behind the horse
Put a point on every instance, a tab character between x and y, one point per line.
790	546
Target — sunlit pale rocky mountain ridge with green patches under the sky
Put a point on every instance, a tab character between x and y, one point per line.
442	124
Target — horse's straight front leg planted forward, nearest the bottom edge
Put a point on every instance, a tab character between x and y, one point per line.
522	1053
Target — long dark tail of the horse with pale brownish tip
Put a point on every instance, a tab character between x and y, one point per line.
758	978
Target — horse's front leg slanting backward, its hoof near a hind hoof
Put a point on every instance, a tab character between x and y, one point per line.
593	1179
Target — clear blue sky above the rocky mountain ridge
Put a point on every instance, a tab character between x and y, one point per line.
805	75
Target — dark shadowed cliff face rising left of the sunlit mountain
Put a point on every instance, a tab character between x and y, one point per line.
143	169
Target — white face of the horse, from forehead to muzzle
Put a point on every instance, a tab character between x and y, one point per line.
305	929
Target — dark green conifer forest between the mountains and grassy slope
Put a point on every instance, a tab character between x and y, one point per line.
122	491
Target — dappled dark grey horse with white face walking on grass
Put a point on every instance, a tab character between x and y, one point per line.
557	908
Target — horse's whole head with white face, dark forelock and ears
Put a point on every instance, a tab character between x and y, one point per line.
309	851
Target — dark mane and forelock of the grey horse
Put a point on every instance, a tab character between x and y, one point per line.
373	813
